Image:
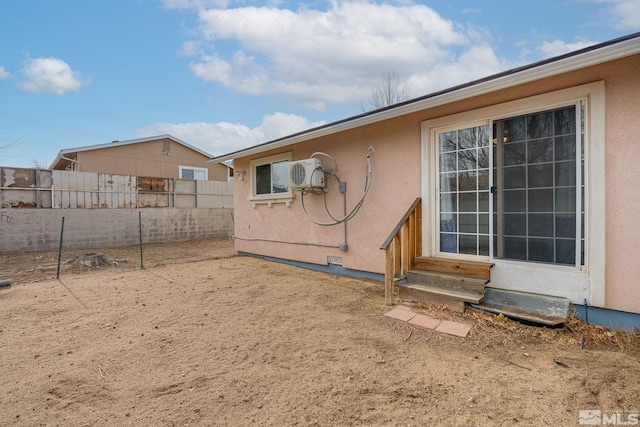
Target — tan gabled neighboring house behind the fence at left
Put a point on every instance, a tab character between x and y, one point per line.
162	156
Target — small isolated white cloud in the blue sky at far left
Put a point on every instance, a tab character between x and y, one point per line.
51	75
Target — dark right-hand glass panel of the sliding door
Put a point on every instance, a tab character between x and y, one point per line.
534	171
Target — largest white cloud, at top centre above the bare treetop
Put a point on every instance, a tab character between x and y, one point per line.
334	55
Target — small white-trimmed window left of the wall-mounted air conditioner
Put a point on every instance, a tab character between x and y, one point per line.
270	180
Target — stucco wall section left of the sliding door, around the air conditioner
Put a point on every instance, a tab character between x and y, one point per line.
393	164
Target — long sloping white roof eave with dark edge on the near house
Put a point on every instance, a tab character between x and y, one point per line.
592	55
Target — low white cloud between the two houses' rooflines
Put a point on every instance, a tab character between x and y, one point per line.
223	137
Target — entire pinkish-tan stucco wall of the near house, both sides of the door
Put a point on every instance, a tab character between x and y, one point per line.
397	182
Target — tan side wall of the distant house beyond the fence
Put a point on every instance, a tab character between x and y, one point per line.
147	159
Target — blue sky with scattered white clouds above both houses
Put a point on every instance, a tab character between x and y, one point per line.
223	74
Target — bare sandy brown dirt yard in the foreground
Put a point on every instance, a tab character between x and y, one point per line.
203	337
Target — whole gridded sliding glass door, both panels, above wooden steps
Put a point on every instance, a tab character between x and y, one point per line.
526	175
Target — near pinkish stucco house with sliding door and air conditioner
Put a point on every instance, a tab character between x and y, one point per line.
533	170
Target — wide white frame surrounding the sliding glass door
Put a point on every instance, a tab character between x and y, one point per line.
571	282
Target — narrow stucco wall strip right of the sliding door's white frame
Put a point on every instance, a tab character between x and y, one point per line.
623	189
